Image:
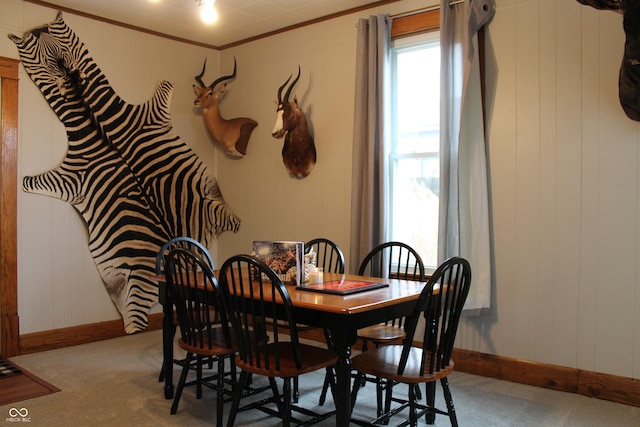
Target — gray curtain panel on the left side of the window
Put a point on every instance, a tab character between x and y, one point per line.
369	179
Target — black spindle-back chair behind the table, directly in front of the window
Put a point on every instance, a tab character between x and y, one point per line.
391	260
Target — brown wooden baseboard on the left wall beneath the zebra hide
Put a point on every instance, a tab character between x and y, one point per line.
82	334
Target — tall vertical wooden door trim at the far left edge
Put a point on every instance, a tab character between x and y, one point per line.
9	322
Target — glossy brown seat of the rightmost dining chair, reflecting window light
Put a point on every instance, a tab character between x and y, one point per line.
383	362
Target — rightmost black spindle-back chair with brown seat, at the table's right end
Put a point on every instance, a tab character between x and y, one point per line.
440	304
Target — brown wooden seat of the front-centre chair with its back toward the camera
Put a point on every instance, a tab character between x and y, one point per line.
313	358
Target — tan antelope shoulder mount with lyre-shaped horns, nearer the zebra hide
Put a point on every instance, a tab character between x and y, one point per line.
233	134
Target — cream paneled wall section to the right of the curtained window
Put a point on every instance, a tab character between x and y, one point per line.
564	171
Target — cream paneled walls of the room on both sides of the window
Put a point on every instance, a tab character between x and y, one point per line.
564	164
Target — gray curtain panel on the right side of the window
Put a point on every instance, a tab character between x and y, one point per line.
464	202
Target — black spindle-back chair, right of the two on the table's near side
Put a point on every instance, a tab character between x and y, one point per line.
260	307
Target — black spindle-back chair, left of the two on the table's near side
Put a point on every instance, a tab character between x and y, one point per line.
204	327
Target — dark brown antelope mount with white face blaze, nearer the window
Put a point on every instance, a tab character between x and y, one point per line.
298	151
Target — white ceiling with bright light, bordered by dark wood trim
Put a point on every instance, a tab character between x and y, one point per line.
238	20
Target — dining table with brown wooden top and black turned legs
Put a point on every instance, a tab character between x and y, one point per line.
341	315
